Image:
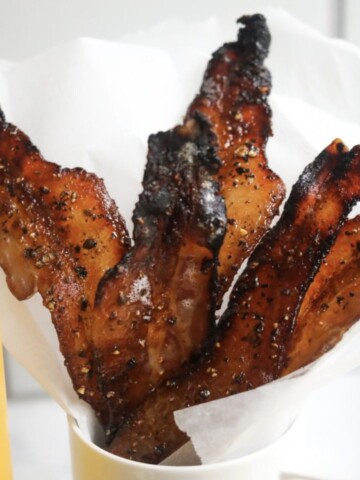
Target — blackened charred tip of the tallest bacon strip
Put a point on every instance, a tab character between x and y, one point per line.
254	36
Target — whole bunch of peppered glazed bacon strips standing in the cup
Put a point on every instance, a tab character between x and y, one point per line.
136	325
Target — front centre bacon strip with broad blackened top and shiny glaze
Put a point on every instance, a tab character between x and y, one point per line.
156	307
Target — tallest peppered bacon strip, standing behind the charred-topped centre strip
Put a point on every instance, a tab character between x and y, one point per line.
234	100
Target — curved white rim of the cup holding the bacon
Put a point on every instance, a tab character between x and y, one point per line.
73	425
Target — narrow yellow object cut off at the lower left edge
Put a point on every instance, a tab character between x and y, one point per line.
5	459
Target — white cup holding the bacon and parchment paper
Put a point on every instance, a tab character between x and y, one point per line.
90	462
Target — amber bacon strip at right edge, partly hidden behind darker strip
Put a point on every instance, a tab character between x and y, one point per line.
331	305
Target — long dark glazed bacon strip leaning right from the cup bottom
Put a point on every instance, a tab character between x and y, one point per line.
254	331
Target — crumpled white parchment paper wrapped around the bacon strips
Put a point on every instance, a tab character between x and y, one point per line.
93	103
